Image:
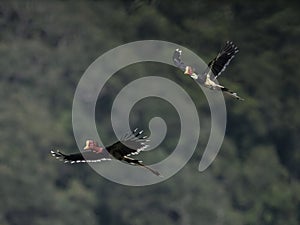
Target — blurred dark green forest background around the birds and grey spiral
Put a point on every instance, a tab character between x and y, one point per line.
45	47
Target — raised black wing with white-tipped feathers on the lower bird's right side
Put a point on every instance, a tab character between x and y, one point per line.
131	144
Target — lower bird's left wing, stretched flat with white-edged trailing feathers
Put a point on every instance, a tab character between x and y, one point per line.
84	157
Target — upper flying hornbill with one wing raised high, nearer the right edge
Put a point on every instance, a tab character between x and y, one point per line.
208	78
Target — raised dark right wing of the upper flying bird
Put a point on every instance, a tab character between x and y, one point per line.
221	61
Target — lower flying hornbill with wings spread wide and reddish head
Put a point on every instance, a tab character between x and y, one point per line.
130	144
